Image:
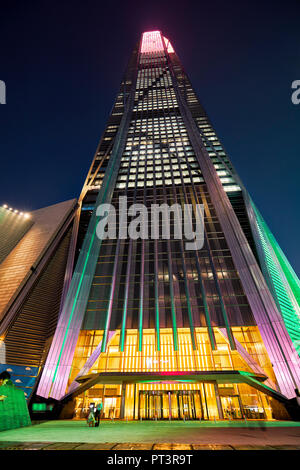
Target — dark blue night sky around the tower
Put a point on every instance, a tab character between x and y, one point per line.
62	62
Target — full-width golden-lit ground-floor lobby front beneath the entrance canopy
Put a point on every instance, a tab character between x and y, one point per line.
171	400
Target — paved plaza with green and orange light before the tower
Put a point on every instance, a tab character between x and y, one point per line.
122	435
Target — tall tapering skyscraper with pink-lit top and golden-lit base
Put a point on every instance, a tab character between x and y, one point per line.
154	330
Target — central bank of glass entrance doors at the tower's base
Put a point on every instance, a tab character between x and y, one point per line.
170	405
